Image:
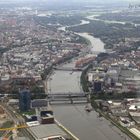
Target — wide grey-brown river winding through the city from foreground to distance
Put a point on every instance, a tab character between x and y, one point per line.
85	126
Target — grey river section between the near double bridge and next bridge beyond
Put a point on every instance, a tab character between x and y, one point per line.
65	82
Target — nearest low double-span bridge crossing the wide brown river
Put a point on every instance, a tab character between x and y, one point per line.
68	98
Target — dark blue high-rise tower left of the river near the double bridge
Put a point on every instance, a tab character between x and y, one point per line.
24	100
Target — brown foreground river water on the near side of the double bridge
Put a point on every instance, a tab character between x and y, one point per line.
87	126
